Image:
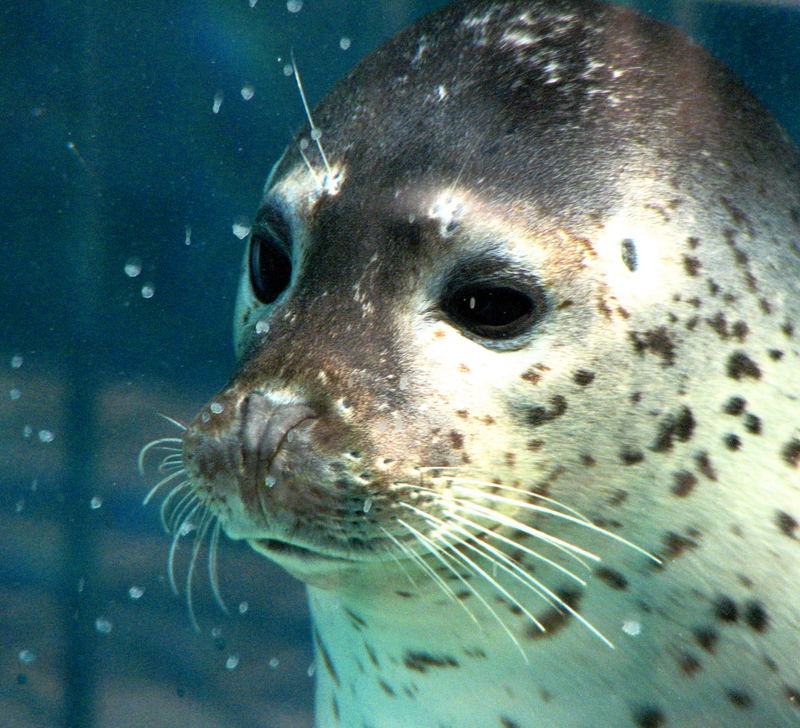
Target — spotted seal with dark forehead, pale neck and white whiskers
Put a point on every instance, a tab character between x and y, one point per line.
519	376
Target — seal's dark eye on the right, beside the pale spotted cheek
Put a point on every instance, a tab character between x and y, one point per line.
493	311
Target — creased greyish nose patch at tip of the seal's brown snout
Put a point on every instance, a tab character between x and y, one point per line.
265	426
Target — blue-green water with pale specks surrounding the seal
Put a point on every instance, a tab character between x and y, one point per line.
136	138
